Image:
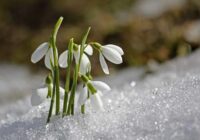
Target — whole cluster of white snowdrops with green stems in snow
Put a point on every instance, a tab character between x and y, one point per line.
76	59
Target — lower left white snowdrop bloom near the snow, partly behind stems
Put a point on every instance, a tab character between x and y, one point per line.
41	94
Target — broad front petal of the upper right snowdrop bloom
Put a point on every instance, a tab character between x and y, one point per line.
112	55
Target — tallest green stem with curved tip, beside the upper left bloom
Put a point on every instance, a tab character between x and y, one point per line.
56	68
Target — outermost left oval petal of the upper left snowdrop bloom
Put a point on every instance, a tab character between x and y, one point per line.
39	52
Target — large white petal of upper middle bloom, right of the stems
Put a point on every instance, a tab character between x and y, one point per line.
85	65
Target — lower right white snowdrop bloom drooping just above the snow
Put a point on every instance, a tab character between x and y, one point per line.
95	98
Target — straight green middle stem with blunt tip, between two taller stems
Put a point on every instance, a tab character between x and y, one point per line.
67	88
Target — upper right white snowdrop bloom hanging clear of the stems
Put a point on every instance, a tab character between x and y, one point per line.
112	53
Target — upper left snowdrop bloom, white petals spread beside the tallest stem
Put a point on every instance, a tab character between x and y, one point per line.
43	50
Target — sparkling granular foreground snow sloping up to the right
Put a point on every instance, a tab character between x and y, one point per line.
164	105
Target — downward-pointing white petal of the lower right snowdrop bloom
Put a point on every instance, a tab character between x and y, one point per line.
96	102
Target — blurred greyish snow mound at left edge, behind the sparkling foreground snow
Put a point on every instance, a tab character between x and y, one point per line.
16	81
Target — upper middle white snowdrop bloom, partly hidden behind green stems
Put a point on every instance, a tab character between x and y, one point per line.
85	65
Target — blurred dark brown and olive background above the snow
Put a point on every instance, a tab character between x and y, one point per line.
147	30
